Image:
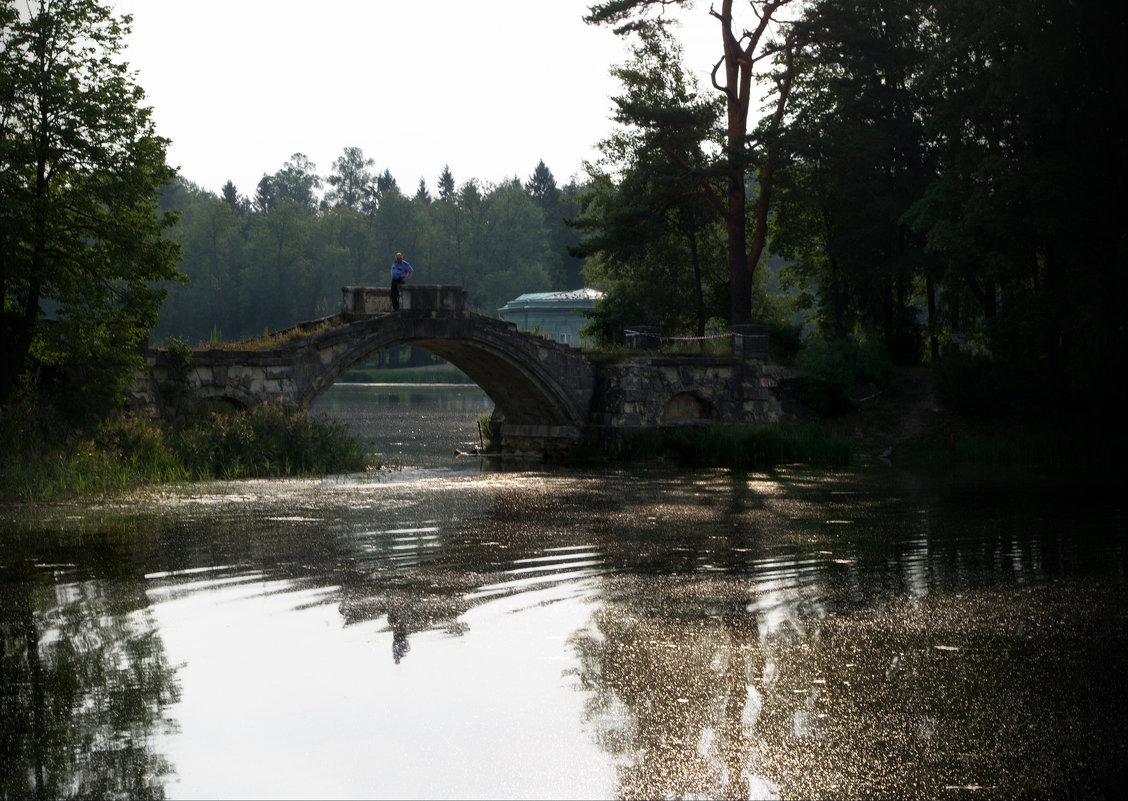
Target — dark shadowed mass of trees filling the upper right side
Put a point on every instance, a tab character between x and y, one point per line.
957	179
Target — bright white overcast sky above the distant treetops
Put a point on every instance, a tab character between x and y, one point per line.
490	87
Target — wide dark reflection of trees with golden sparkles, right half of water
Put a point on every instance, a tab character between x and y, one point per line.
783	662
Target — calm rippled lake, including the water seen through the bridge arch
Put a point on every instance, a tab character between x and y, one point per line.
457	628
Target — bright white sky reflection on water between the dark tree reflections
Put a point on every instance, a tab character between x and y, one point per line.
287	701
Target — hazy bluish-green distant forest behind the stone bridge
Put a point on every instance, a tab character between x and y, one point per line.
281	256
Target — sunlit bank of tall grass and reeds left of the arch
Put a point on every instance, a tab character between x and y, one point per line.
46	461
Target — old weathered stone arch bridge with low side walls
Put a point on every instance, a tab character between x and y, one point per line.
548	395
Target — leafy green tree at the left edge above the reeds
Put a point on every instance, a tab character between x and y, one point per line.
81	171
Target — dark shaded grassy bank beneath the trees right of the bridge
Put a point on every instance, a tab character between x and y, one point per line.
902	424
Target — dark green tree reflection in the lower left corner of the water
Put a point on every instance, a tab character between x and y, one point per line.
84	684
